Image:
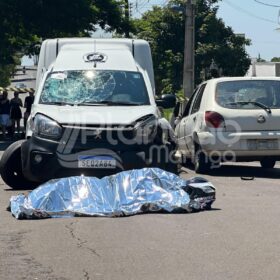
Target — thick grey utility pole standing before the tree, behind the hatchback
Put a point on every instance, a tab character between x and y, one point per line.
188	78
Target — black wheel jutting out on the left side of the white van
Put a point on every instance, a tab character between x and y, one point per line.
11	169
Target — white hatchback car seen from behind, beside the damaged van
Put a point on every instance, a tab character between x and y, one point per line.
231	119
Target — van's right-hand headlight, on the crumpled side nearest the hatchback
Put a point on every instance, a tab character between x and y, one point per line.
146	129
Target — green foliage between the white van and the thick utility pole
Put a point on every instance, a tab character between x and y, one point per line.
164	30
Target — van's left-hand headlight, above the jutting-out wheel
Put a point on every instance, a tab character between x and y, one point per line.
45	127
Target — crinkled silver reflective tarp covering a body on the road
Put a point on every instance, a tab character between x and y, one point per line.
126	193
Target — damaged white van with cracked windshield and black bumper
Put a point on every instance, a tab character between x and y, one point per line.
94	113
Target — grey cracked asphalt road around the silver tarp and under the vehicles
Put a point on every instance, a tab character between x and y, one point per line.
238	239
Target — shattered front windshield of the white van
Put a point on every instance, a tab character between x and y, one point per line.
95	87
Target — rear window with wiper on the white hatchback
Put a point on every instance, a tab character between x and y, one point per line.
249	94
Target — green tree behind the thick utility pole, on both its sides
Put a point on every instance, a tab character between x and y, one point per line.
164	29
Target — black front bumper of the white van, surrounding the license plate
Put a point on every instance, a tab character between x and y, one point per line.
57	164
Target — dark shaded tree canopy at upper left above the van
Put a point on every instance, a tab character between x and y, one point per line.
23	24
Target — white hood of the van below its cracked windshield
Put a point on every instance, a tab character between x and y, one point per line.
90	115
